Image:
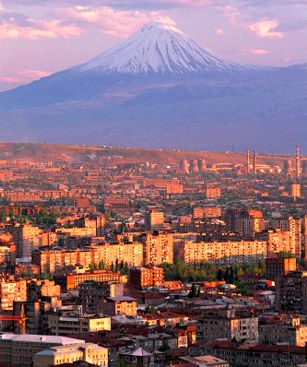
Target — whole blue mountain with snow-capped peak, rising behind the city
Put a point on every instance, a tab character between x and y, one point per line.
160	89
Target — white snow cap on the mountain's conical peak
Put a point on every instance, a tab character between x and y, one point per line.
157	48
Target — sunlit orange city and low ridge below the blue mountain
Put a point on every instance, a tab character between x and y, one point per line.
123	257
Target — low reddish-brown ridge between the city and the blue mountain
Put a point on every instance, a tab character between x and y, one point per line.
113	155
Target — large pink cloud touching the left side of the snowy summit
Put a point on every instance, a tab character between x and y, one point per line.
120	23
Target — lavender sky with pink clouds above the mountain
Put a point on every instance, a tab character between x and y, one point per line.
40	37
